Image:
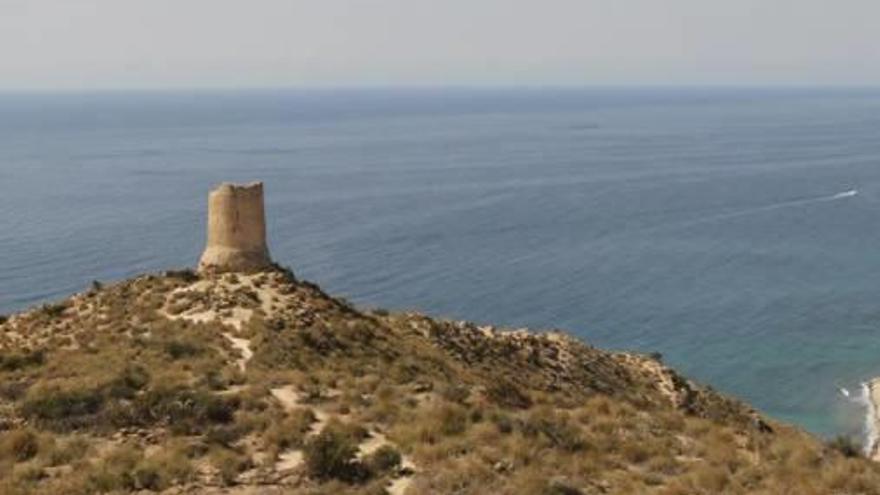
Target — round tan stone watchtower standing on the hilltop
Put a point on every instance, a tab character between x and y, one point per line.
236	230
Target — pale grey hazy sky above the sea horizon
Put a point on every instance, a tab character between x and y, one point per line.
66	44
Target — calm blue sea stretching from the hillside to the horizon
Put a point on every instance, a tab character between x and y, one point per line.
735	231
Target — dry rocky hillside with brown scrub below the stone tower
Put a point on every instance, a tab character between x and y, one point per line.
262	384
